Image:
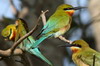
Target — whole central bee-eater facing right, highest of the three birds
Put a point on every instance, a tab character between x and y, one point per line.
58	23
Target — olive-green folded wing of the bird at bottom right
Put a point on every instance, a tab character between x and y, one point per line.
88	56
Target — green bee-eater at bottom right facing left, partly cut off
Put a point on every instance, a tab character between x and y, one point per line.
83	55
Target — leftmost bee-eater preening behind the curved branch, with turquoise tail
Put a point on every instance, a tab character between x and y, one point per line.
20	28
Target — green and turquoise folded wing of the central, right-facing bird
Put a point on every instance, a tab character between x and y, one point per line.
54	24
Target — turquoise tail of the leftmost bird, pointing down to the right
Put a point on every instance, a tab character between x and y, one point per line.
37	53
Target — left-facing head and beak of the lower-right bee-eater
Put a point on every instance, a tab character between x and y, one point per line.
77	45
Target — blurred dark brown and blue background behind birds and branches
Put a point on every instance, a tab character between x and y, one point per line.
85	25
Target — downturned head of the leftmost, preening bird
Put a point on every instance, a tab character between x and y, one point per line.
9	32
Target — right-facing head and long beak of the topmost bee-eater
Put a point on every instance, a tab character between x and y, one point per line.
68	8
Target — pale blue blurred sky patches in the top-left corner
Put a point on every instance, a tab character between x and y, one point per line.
5	9
